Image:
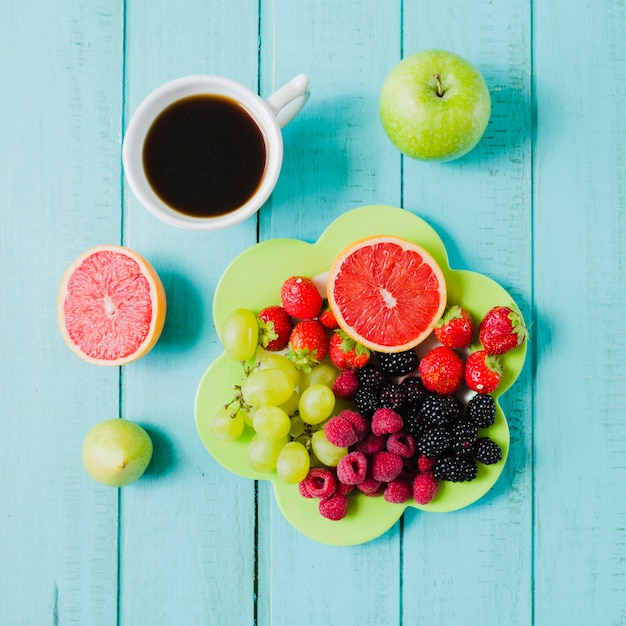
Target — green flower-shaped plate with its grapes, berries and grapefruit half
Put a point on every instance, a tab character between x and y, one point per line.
259	406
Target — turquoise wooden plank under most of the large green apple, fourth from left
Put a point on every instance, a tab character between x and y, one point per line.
481	206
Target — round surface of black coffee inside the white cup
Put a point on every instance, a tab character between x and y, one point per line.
204	155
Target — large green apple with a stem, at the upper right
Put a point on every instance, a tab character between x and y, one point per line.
434	106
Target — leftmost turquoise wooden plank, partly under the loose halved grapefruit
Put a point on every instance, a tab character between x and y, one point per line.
60	119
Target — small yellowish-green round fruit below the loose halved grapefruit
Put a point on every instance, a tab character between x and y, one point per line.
116	452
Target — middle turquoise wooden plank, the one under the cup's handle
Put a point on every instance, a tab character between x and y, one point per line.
331	165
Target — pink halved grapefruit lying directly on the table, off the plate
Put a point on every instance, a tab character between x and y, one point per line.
111	305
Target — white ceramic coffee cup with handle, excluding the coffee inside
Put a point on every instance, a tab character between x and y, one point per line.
270	115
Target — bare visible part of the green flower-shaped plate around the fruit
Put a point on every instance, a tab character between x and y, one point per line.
253	281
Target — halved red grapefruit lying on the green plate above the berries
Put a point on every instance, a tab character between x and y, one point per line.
387	293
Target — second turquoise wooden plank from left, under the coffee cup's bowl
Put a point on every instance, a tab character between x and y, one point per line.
188	528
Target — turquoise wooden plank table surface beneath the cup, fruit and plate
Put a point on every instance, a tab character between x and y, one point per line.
539	206
